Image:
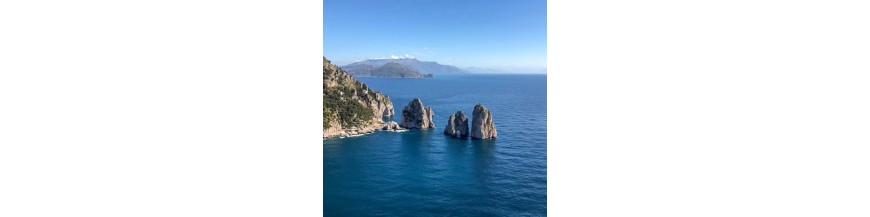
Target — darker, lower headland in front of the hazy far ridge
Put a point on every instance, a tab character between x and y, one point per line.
388	70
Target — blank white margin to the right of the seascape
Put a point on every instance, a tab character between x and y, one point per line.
708	108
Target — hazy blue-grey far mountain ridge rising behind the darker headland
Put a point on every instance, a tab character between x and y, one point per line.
423	67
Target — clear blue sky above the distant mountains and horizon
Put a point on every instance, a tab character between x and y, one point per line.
506	35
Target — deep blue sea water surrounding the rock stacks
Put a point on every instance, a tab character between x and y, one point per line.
425	173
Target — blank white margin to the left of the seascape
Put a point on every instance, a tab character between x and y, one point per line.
160	108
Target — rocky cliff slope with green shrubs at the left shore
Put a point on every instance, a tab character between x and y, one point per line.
349	106
